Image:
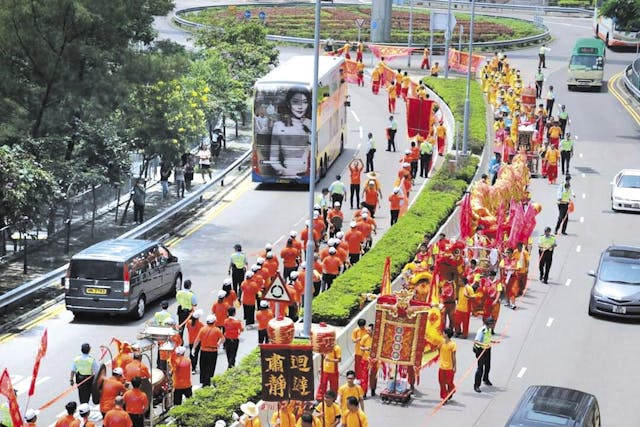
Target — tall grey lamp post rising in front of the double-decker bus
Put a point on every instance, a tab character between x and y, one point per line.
308	291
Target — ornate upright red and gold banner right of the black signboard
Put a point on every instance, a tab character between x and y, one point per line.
399	335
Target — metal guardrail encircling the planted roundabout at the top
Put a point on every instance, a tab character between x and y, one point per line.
300	40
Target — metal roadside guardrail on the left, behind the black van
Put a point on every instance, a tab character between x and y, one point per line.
24	291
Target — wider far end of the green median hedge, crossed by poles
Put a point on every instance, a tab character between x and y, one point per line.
452	92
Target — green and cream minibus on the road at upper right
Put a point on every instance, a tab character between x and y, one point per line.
586	65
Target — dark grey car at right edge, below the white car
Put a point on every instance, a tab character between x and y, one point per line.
616	289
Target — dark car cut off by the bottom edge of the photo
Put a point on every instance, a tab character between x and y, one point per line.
543	405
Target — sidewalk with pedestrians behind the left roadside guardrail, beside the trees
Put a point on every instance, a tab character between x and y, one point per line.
51	255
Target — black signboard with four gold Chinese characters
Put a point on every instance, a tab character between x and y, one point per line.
287	372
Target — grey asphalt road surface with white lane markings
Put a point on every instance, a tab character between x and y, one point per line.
549	340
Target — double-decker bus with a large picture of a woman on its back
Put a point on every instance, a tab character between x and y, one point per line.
282	120
